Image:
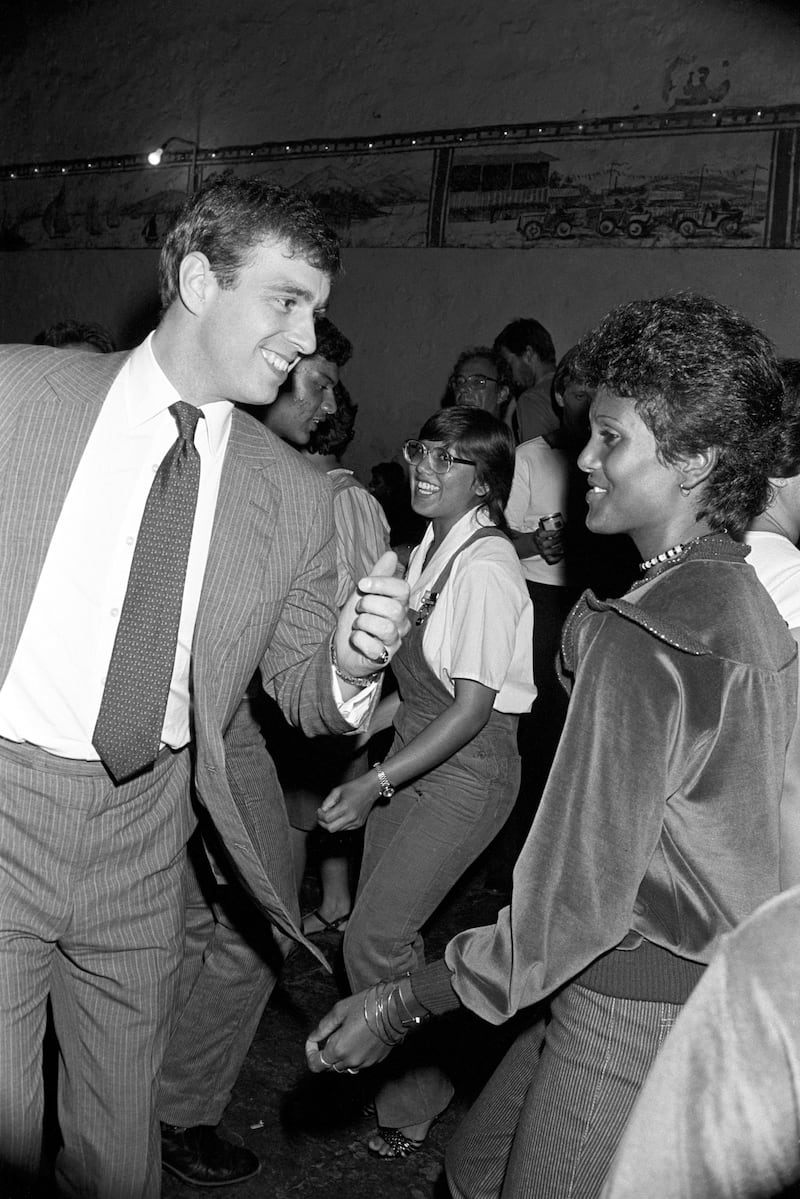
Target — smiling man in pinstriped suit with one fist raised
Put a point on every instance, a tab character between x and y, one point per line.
92	872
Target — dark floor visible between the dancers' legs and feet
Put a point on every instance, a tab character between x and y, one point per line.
309	1130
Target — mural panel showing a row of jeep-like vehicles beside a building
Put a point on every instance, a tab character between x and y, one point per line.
526	197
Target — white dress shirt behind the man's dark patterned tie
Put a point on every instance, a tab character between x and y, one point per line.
52	695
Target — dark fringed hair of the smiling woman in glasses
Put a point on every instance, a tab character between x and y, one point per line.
473	433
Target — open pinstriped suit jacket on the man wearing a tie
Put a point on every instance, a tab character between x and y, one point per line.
268	593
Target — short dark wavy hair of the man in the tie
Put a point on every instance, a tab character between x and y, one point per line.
228	218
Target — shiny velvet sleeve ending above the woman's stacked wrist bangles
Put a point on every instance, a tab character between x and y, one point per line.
599	823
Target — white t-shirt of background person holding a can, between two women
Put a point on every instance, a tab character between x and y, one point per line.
540	487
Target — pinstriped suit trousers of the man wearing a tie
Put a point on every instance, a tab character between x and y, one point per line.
92	905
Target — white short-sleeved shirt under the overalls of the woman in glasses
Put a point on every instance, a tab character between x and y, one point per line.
483	624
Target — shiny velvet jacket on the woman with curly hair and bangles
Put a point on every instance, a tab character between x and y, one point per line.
660	820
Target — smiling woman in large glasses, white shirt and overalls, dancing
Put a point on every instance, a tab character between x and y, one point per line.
465	674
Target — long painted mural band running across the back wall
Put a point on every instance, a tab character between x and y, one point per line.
693	176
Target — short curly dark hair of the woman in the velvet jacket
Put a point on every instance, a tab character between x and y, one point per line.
700	377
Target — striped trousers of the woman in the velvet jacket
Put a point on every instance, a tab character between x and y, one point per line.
548	1124
